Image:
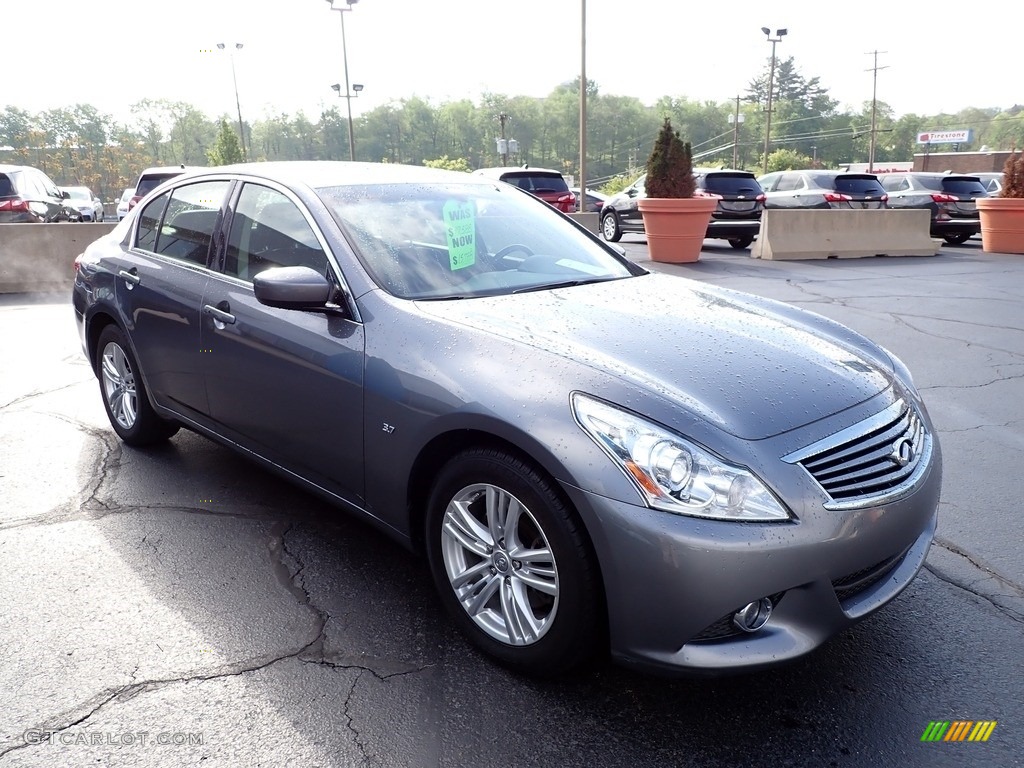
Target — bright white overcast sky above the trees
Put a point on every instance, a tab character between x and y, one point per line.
113	54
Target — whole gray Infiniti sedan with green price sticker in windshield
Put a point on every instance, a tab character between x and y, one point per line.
592	459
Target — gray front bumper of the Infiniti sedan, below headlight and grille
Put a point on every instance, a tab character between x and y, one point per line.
672	583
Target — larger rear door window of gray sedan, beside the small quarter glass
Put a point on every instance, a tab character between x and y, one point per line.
190	222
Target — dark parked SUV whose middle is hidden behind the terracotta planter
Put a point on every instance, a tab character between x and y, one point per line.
738	218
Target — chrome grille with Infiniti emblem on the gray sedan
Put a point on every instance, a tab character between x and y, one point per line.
881	458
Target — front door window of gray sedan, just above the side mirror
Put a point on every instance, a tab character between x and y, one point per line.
268	231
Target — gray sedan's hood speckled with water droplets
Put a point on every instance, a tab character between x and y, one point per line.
753	367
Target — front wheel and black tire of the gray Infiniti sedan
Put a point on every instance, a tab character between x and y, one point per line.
536	615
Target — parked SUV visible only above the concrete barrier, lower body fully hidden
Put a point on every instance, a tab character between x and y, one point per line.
821	189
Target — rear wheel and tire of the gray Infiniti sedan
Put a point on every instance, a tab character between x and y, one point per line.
123	392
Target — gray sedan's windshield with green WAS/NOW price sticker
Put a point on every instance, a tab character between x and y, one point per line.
463	241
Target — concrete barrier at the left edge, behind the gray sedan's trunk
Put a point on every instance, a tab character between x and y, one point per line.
41	258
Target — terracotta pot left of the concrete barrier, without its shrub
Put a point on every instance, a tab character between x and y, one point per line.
676	229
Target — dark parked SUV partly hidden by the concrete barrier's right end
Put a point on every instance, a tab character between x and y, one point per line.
950	197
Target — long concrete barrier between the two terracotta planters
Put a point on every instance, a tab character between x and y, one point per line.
829	234
